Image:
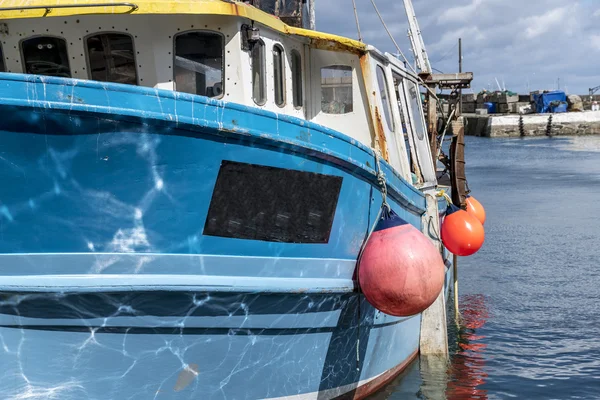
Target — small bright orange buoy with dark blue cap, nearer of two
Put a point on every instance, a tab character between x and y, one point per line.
462	233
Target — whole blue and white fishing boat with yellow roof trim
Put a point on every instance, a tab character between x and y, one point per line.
187	186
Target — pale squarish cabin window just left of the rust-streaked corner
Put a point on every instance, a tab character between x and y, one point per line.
336	89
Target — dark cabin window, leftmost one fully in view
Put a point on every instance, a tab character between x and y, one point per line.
46	55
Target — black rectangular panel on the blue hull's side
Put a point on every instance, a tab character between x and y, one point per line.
272	204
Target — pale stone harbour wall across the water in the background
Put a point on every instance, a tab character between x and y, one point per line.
573	123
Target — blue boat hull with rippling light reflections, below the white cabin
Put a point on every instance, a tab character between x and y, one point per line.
110	286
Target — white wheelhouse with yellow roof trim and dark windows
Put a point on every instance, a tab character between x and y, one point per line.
246	57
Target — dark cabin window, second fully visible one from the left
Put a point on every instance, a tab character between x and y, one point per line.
111	58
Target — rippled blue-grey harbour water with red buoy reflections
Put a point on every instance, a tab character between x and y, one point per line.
530	299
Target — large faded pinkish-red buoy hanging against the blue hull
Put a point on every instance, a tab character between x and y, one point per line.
400	272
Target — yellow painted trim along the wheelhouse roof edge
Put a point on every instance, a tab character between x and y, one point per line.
199	7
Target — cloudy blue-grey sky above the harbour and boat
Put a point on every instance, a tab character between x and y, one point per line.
524	44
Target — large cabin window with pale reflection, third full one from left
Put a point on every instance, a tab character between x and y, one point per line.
199	63
